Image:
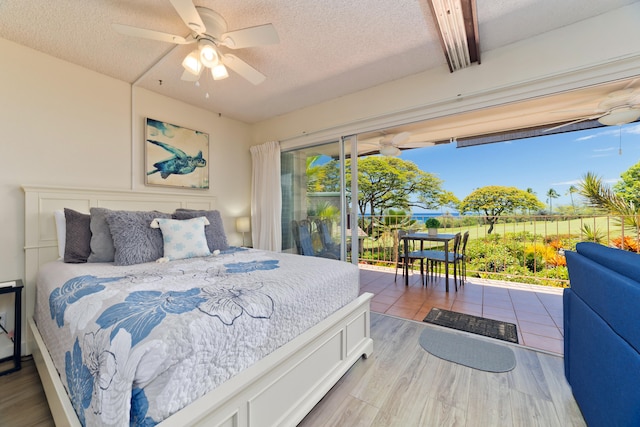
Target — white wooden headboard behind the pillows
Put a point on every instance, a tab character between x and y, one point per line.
41	243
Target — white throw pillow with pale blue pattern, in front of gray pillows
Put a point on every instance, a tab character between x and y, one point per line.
183	238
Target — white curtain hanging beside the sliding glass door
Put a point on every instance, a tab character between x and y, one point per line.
266	197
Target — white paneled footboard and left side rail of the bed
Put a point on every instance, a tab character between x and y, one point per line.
279	390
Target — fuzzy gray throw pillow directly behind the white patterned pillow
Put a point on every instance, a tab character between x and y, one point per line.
134	240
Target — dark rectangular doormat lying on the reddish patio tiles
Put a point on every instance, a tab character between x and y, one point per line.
477	325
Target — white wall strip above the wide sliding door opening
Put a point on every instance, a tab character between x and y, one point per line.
597	50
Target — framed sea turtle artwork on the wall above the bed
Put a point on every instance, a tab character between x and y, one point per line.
175	156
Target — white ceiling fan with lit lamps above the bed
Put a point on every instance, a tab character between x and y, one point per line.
209	33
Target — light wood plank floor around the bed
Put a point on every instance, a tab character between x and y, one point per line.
399	385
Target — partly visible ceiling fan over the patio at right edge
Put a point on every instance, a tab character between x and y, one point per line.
617	108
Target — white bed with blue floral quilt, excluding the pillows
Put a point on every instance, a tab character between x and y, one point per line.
280	378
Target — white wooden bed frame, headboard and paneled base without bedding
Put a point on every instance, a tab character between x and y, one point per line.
278	390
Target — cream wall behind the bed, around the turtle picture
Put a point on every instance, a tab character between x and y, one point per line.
63	125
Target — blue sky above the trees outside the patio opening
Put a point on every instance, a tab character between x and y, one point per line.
554	161
